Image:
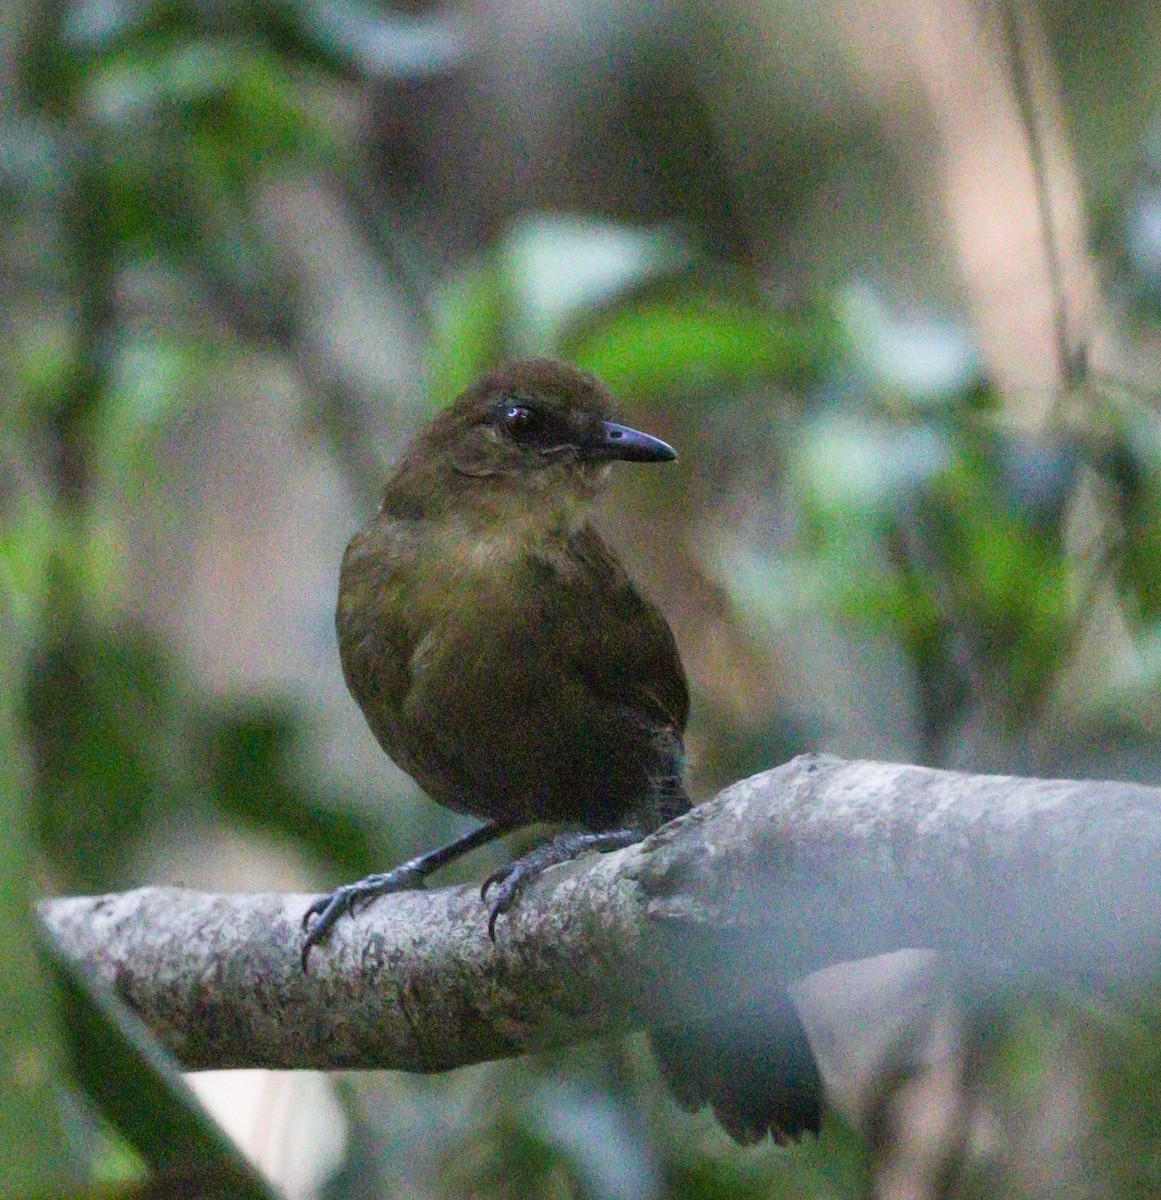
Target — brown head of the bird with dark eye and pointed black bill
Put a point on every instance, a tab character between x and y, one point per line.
536	433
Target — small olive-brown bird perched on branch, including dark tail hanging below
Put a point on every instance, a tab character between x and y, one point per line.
504	659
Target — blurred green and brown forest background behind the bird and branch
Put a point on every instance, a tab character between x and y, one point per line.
888	273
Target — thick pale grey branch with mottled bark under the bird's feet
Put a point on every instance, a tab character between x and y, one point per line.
815	863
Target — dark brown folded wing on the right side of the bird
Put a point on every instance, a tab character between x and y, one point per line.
624	649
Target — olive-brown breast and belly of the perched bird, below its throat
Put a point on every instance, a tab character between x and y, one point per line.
473	659
